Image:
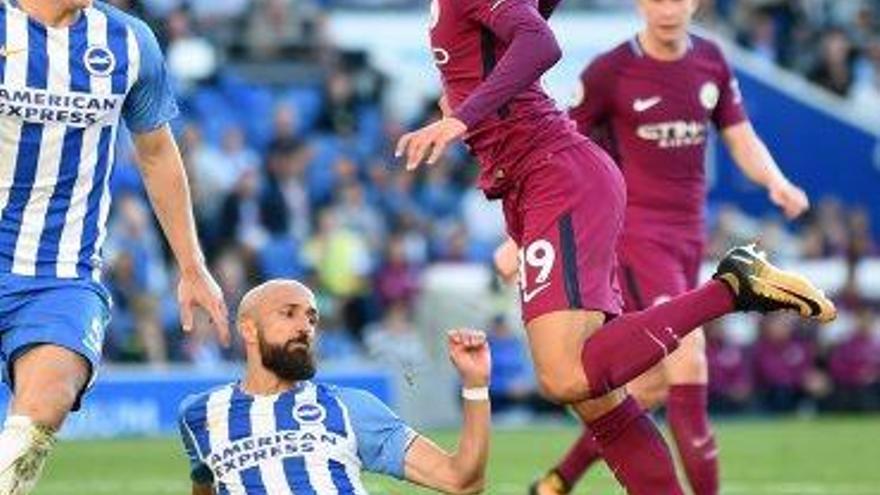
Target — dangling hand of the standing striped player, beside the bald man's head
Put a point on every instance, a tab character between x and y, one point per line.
197	288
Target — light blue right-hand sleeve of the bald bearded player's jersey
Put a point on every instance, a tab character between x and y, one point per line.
383	438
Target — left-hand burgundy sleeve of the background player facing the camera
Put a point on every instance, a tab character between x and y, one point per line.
593	99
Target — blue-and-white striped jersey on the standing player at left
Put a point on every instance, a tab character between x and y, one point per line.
62	94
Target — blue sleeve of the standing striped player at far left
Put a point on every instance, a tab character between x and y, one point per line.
150	104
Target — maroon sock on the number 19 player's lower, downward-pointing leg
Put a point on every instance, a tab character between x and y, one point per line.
635	451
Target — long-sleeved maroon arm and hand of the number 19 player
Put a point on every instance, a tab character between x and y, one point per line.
532	50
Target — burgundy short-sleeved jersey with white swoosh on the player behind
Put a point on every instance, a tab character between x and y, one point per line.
653	117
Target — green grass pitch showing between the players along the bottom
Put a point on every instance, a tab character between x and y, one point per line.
797	457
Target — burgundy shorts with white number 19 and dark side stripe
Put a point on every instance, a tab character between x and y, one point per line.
566	215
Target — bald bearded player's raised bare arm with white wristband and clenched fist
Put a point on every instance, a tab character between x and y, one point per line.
463	471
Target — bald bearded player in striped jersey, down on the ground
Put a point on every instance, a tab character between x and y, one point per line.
277	431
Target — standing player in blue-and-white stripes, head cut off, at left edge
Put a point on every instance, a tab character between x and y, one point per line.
70	70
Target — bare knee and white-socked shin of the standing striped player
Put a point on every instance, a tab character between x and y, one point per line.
48	380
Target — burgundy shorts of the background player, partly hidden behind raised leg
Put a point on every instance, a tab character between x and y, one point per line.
652	270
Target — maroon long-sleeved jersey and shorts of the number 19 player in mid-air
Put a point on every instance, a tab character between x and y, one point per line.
563	197
